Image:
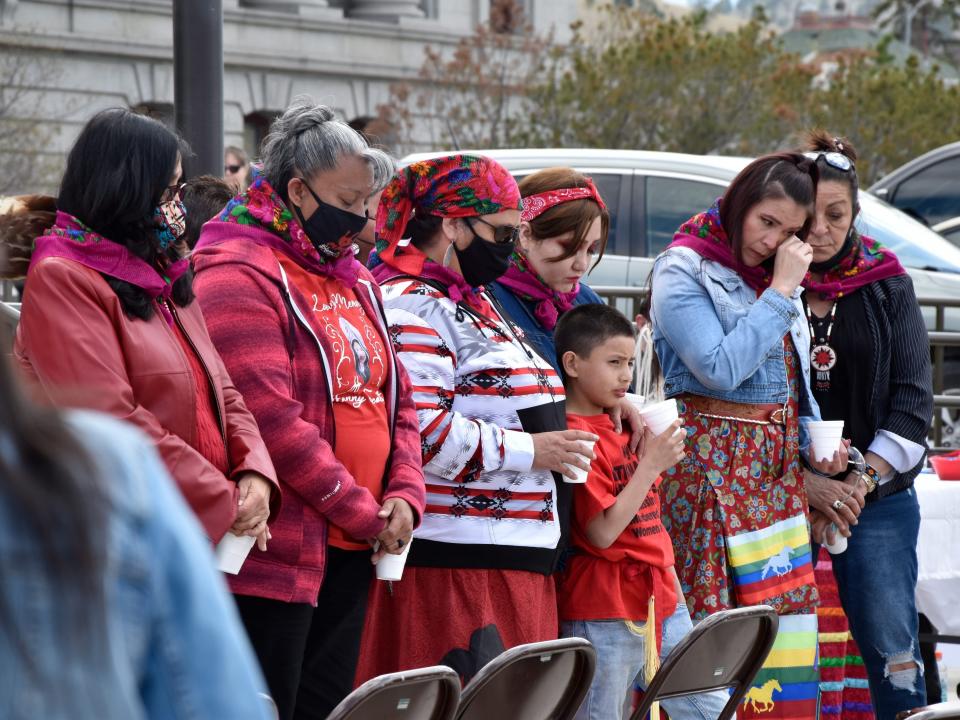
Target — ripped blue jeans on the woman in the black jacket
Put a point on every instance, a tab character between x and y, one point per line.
877	579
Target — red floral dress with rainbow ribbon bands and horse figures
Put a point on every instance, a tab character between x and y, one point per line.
735	508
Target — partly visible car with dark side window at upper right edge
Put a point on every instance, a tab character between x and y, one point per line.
926	187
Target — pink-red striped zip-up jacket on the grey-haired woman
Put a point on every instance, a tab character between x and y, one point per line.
257	322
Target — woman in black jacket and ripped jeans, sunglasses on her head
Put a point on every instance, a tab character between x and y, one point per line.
870	367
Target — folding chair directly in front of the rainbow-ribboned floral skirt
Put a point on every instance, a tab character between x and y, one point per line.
725	650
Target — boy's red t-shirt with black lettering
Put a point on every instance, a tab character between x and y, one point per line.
615	583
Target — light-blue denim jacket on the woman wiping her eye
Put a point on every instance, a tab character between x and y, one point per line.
716	338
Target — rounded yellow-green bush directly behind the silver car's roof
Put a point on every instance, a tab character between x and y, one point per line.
642	83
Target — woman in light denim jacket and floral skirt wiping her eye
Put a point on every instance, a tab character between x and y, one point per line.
732	341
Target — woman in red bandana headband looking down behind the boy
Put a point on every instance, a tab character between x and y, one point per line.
563	233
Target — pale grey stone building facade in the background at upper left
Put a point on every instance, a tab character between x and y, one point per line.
75	57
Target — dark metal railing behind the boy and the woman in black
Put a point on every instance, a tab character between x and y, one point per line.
940	339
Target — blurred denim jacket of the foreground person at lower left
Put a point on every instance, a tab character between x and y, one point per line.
169	644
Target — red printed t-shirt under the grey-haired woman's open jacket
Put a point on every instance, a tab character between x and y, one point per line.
358	369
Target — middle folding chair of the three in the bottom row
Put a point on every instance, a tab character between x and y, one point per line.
538	681
